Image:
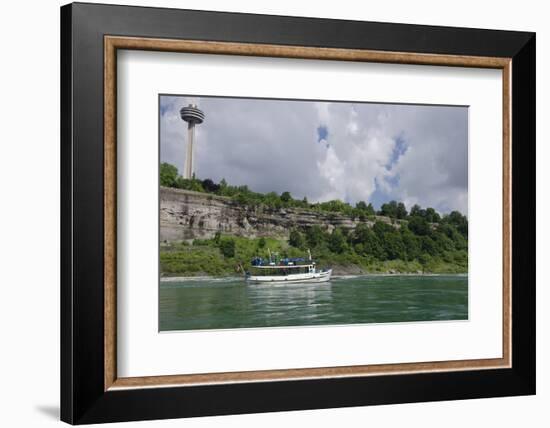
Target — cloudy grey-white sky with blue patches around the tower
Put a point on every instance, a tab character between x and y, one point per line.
416	154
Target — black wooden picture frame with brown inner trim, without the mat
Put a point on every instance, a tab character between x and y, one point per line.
91	390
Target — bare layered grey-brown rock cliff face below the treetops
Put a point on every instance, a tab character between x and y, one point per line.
187	215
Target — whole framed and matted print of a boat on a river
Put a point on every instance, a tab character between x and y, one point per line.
265	213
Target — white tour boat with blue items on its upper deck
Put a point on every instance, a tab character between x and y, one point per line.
286	271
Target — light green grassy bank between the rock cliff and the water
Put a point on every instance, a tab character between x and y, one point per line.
205	258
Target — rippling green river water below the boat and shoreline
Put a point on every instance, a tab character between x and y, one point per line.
230	303
